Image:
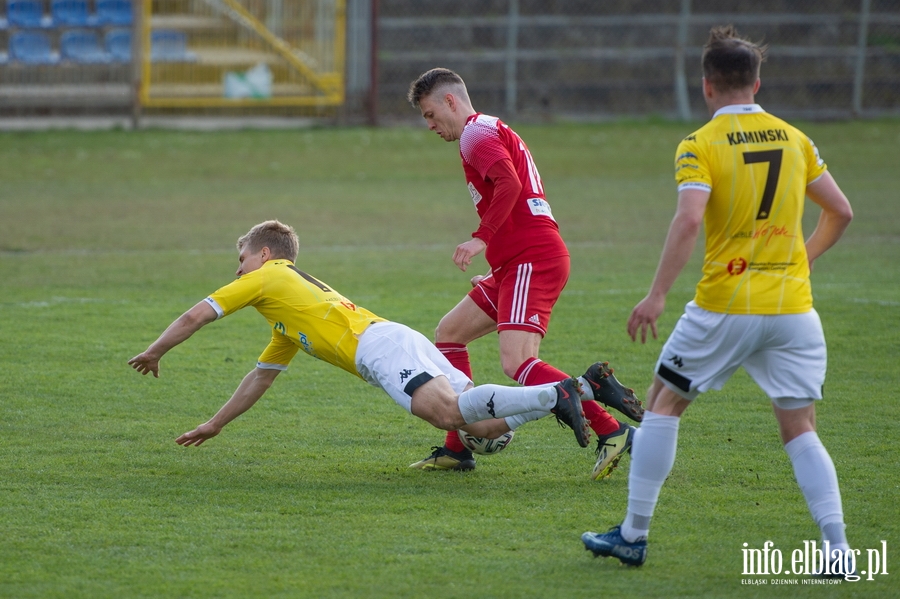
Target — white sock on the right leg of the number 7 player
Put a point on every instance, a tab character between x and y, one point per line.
817	478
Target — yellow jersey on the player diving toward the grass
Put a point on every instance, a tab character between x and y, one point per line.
304	313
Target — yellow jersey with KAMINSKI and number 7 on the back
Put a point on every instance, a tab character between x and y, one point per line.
756	168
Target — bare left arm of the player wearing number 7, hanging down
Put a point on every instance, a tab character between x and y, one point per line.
677	251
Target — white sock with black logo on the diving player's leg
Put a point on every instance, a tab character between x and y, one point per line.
496	401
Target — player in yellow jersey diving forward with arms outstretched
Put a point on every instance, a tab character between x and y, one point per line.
307	314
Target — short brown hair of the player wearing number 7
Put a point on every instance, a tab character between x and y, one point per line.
729	61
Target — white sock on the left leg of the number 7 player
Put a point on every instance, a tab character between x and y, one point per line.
652	458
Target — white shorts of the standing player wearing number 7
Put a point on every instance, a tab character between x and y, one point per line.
785	353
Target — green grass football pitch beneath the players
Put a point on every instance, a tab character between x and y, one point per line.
106	237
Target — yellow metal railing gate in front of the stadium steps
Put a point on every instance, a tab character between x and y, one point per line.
299	44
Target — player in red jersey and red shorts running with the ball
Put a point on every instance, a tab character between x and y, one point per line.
529	266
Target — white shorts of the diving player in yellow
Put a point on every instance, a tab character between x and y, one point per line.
393	357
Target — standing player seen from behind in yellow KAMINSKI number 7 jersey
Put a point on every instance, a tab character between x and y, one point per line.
744	176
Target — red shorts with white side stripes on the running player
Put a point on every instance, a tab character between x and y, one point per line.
520	297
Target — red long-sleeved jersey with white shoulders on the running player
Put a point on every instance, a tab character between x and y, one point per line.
518	229
